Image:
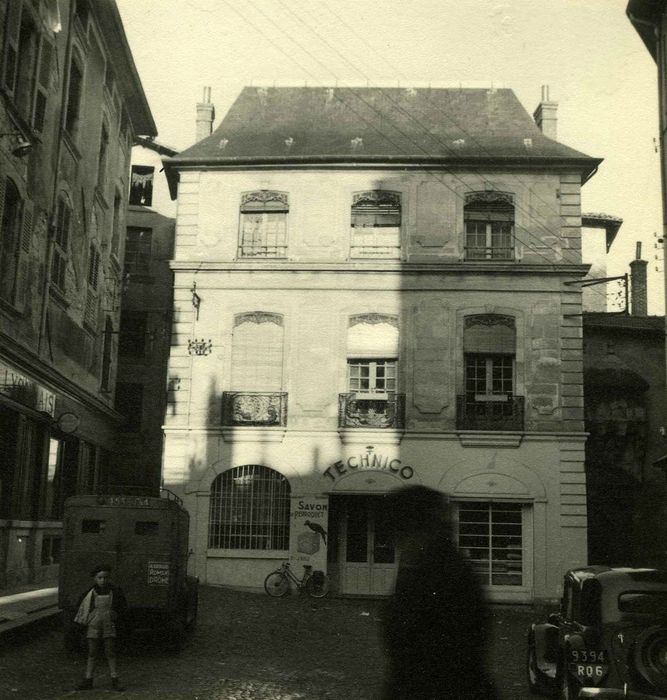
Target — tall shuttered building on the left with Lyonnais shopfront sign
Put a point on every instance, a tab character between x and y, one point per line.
71	106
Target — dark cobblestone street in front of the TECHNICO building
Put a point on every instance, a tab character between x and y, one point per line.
247	646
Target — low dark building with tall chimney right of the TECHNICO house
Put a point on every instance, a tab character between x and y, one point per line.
625	416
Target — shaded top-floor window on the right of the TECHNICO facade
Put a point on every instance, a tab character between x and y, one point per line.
489	226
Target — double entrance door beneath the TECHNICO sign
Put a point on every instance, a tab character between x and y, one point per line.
367	560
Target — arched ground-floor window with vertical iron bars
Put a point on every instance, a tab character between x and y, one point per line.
249	509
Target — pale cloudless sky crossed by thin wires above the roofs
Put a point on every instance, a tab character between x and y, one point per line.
597	69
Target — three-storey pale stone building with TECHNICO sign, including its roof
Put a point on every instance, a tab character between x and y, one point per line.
378	287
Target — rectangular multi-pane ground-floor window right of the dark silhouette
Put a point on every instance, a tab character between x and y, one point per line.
491	535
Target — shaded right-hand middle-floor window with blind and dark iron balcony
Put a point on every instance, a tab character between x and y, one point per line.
489	402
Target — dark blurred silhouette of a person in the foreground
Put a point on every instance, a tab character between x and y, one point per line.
436	621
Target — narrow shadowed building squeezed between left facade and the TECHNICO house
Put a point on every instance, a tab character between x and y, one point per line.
145	322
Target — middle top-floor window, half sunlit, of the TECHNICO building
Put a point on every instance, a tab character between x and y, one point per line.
376	224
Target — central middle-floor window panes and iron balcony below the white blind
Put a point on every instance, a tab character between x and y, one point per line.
372	401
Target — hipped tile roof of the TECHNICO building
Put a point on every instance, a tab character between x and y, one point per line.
316	124
